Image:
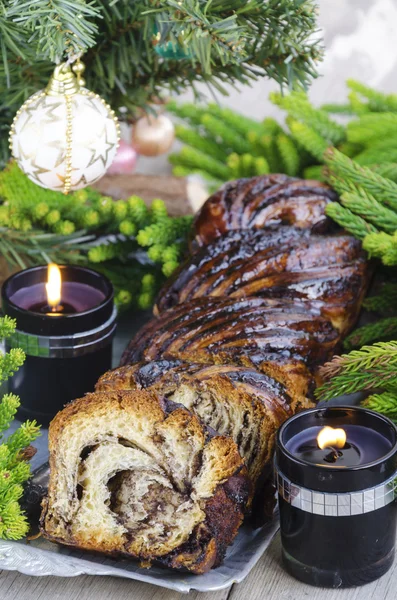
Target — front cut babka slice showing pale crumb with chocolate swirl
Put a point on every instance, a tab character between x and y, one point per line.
131	474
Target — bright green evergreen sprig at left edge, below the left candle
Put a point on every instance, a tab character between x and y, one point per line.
14	466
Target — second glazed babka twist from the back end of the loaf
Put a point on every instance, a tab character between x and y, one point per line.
329	272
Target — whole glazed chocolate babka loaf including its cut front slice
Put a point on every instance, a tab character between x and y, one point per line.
161	462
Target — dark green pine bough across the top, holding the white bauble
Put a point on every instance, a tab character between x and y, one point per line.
122	42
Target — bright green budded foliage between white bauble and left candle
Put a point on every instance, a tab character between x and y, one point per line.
134	245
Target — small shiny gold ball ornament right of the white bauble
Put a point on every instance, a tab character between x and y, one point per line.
152	136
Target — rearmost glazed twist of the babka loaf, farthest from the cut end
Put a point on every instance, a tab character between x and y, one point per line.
264	200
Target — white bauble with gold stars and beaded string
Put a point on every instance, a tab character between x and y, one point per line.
64	137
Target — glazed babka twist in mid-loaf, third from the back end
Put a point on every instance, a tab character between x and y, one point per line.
280	338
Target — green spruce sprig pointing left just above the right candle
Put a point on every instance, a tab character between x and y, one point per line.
371	367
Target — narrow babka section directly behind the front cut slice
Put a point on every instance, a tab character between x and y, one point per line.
239	402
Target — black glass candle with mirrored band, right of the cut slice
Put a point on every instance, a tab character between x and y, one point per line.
338	518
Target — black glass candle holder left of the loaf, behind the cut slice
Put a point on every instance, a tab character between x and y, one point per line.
67	351
